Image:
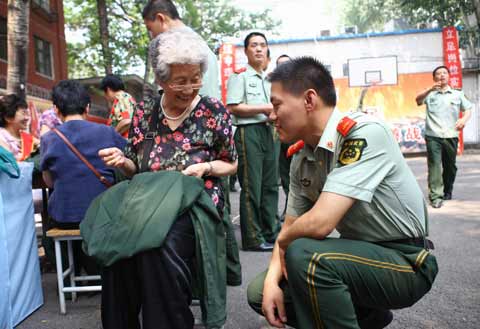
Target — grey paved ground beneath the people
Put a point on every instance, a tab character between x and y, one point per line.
453	303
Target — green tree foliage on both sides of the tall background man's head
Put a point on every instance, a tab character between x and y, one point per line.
212	19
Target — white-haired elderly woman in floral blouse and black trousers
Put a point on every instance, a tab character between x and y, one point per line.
192	135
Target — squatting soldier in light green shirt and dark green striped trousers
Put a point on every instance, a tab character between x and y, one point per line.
350	176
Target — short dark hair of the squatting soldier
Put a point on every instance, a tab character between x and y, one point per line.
304	73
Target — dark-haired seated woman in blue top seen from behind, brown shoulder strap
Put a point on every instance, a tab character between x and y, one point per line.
74	184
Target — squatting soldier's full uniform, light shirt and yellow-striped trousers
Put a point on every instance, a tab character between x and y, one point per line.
379	261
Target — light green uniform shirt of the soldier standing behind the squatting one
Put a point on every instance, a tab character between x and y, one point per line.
251	88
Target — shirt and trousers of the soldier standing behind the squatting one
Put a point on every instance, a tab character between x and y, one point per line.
257	160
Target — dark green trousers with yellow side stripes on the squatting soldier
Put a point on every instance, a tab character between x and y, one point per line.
332	281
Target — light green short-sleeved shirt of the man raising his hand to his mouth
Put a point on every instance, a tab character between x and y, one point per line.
443	110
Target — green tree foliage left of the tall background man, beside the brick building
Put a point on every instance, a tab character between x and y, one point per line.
128	37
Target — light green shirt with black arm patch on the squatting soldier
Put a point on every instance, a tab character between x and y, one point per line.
365	165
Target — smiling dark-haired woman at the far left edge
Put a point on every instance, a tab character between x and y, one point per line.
14	119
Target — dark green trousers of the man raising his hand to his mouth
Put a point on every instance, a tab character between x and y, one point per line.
441	154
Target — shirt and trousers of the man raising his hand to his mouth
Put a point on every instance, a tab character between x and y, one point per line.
443	109
